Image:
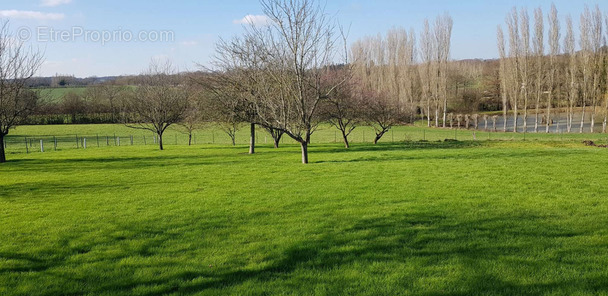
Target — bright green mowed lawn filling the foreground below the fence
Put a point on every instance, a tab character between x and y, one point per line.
455	218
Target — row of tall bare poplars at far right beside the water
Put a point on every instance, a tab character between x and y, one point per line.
569	76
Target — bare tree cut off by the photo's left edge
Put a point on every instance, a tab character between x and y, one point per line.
18	64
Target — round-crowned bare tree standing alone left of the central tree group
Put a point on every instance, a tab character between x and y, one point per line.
159	101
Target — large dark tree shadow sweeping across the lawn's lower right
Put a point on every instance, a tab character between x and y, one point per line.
427	240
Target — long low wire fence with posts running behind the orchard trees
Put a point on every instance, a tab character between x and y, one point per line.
48	143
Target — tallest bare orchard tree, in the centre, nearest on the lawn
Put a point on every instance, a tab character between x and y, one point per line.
299	47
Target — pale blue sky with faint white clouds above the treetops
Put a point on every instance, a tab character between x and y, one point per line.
195	26
